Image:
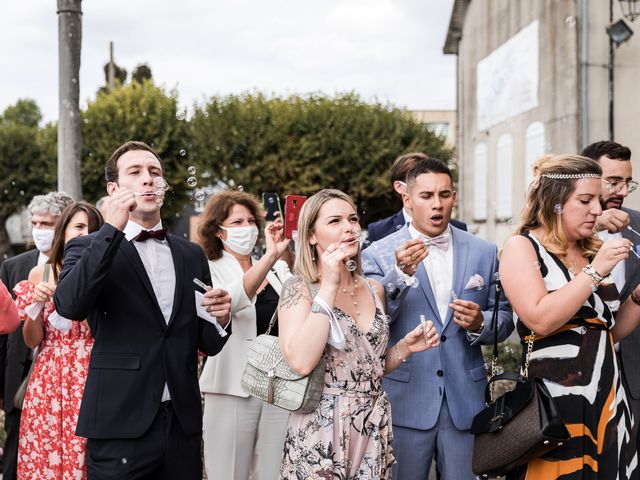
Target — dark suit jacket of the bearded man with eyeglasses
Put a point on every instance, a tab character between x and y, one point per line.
630	345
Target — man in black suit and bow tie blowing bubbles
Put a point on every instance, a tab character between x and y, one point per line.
141	409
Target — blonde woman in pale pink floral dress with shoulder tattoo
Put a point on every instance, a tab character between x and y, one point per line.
348	436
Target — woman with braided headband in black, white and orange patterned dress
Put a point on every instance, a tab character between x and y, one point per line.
552	271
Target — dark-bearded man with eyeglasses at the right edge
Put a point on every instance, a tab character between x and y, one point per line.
616	221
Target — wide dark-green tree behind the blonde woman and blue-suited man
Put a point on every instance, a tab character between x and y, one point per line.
303	144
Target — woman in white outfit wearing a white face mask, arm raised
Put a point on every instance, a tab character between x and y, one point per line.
243	436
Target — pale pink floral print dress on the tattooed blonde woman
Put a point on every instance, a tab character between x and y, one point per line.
349	435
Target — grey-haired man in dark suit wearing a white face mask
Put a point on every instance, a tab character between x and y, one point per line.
15	356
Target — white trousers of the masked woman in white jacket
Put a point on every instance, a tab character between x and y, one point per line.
243	438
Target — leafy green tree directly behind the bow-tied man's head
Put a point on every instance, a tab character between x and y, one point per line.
138	111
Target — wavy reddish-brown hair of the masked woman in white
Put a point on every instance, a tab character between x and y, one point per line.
217	211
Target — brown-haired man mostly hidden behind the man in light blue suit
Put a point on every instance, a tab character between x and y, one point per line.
389	225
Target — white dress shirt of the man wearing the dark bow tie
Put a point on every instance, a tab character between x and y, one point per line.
158	263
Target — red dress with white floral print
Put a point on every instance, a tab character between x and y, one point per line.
48	447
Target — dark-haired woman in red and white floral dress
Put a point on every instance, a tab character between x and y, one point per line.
48	447
